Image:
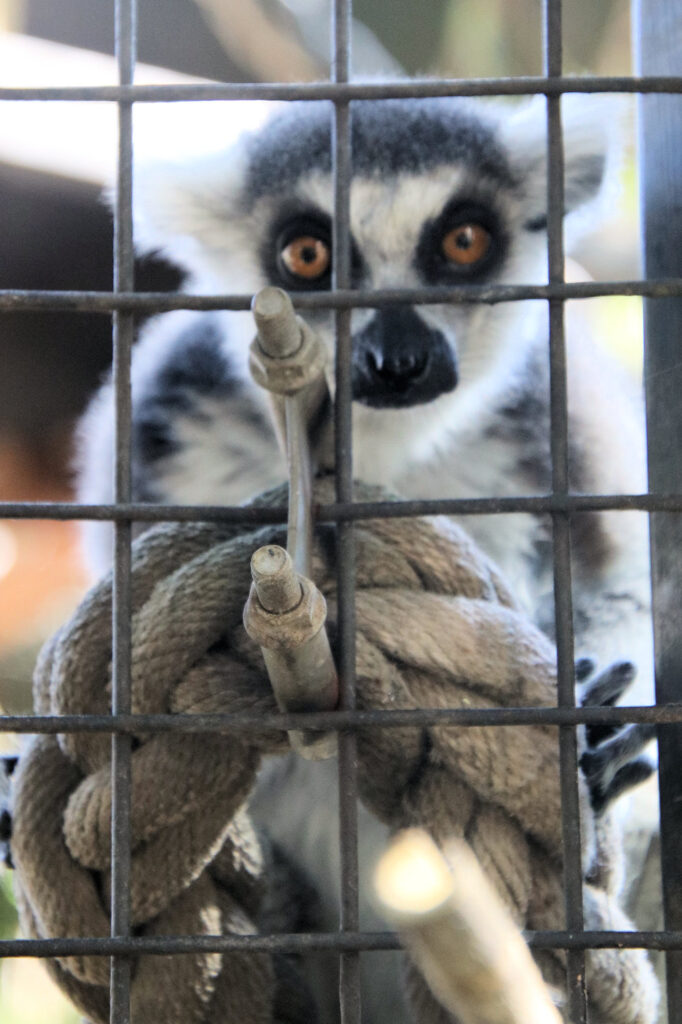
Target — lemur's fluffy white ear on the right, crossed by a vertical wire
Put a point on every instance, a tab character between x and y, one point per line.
592	145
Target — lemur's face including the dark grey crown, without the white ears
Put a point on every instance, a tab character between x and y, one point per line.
434	201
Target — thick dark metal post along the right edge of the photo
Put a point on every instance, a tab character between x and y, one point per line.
658	26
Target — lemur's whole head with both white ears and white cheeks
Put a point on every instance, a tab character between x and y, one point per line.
445	192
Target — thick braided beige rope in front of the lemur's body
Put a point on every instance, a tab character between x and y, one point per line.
437	629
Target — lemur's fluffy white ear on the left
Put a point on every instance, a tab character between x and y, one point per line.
182	206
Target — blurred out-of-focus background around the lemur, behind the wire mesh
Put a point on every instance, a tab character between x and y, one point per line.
56	233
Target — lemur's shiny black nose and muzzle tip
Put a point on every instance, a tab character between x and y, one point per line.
400	361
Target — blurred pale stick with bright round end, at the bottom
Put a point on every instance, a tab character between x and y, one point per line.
461	937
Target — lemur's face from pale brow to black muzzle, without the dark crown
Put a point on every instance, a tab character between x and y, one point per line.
431	228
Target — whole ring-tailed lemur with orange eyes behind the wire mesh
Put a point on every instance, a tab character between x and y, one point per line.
450	400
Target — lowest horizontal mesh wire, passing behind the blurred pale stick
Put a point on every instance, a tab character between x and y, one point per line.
311	943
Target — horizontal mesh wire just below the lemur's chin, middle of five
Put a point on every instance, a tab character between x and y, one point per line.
255	515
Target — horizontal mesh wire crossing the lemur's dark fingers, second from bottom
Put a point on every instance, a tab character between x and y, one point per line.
339	720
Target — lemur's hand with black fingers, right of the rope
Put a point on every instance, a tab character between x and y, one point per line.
613	762
